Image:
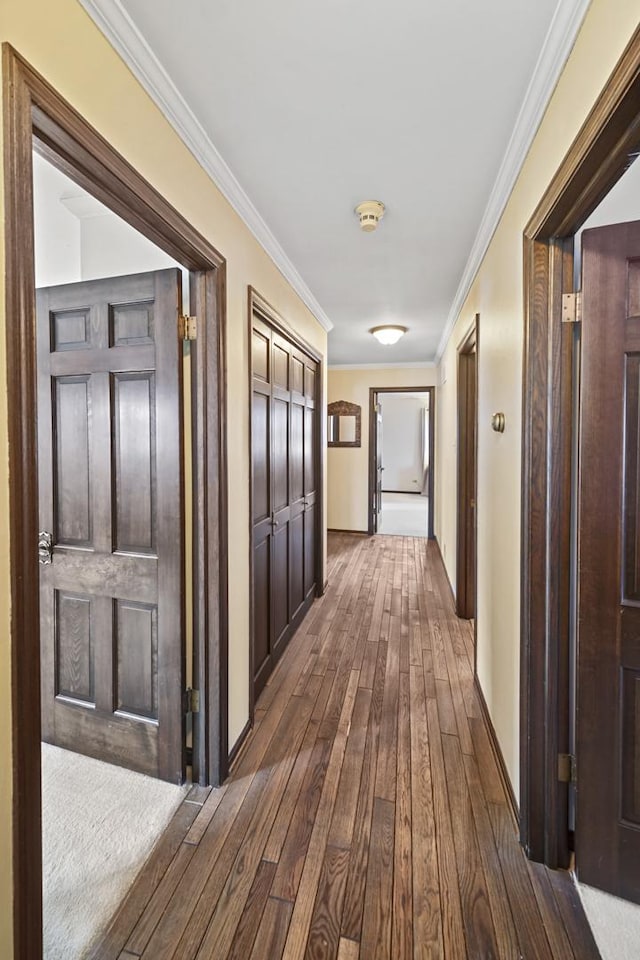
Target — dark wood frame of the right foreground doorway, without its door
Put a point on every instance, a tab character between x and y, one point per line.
603	149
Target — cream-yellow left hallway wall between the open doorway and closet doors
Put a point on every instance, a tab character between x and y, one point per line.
61	42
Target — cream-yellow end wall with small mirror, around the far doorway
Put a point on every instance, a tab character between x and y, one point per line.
348	467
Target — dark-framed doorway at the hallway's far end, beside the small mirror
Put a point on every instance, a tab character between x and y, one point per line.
401	465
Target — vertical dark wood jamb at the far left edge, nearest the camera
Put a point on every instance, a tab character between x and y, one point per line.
23	513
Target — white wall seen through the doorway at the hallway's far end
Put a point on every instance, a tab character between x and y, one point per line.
402	441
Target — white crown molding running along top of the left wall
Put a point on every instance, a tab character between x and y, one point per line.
123	35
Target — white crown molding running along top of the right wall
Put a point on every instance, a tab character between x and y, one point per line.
558	44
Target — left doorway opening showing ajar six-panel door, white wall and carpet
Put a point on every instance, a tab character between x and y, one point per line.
112	457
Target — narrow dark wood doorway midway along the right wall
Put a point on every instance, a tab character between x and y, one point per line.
466	526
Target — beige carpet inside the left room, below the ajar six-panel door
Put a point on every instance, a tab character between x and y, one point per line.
100	823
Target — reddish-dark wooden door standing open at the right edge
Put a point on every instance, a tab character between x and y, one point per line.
608	702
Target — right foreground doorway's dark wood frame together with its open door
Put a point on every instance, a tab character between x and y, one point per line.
578	716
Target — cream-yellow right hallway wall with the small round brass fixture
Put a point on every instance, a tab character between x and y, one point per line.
497	294
